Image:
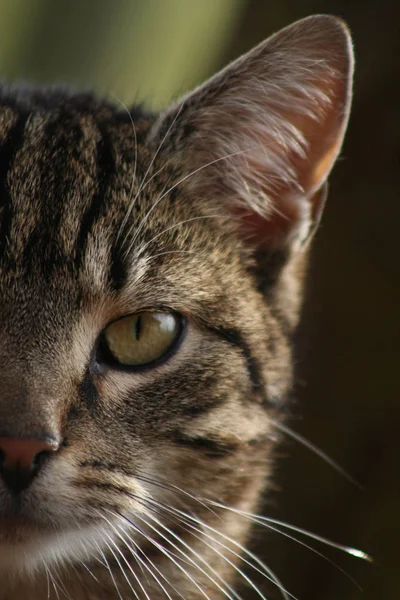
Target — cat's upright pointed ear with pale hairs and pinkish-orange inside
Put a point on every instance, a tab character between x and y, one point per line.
263	134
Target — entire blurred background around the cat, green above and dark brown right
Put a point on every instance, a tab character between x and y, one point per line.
348	362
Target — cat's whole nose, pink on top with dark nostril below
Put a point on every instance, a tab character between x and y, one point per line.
21	460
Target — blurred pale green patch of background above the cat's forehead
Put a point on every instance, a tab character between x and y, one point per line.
147	51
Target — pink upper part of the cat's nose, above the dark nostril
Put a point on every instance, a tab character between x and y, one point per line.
20	453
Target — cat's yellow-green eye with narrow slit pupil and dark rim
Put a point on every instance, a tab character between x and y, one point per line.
141	339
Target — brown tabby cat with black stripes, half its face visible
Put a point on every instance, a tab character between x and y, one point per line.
151	275
